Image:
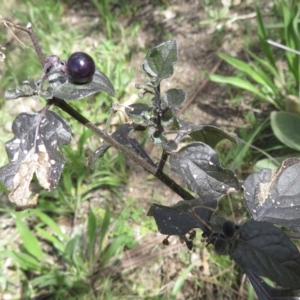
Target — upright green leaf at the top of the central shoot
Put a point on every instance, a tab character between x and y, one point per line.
159	61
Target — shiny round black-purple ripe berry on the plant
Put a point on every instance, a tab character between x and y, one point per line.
81	67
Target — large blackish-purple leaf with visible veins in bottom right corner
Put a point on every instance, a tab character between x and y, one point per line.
266	250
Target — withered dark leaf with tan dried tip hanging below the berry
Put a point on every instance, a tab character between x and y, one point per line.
34	150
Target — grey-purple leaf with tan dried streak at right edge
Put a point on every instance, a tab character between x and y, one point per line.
274	195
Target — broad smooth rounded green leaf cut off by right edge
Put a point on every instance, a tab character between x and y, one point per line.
286	126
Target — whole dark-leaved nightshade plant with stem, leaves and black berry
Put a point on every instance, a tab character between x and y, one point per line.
271	196
